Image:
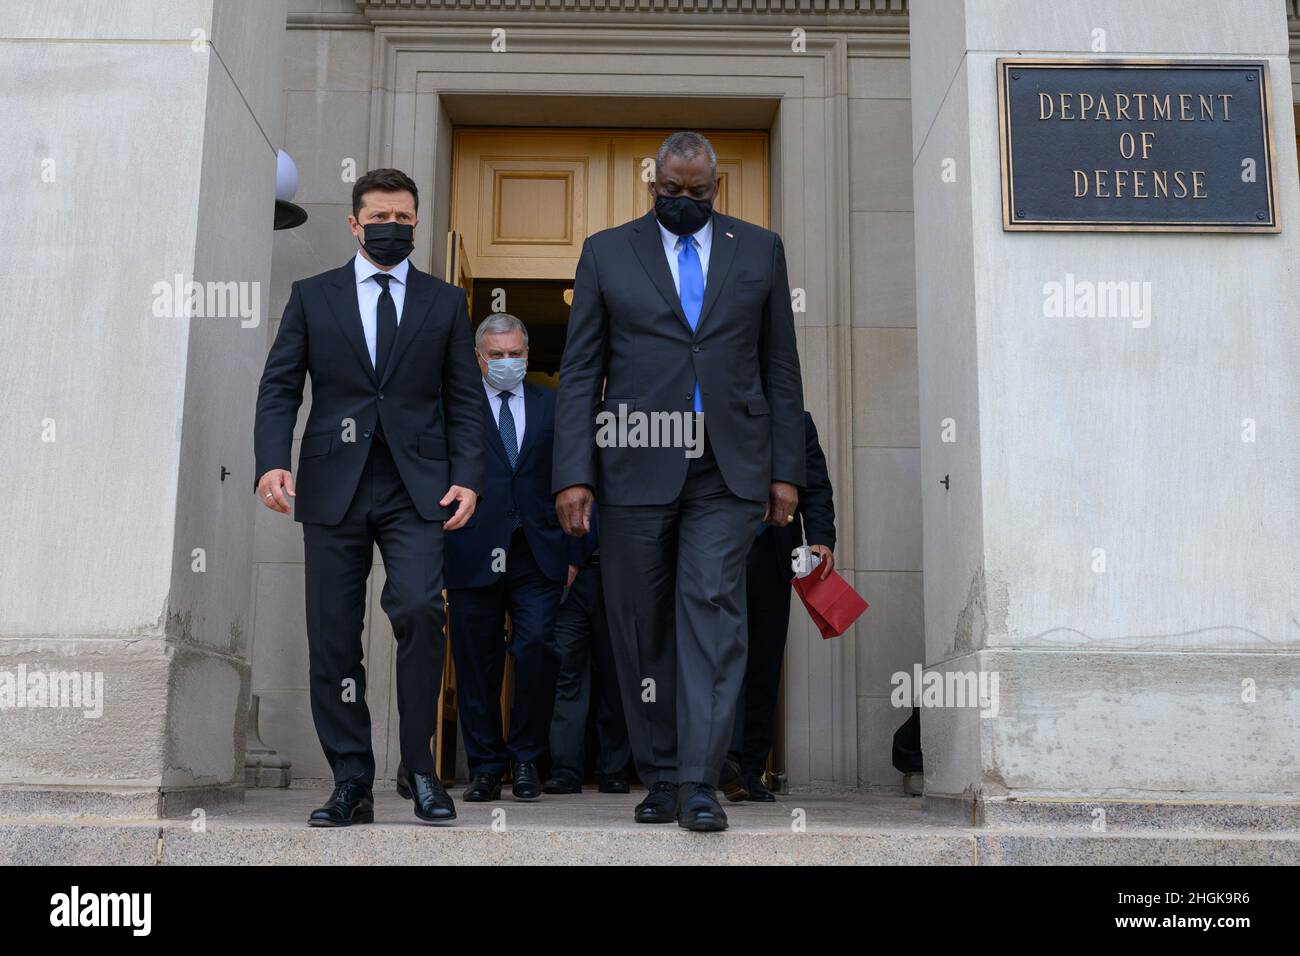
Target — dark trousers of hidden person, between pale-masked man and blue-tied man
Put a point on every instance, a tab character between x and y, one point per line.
583	642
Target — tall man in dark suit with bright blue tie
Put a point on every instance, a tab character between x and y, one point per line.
683	312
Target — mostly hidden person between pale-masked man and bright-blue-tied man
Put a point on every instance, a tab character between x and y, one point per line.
587	661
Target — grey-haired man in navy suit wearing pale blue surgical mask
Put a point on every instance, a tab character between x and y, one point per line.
509	559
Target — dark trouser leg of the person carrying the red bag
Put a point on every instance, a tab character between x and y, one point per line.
768	577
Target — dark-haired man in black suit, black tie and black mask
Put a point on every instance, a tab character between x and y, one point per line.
383	344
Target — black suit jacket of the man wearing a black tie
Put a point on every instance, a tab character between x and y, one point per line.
320	336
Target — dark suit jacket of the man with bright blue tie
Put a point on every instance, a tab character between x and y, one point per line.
627	331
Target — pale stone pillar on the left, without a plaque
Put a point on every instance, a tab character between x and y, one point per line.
142	166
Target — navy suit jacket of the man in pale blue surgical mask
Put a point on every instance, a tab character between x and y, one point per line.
527	490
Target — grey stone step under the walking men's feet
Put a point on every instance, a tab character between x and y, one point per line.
270	828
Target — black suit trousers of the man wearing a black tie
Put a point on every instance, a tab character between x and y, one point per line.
337	564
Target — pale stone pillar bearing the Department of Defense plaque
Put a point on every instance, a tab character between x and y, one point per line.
1110	540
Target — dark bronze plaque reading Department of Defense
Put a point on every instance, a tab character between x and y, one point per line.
1137	145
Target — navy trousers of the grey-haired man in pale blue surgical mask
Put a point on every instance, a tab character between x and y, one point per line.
479	648
